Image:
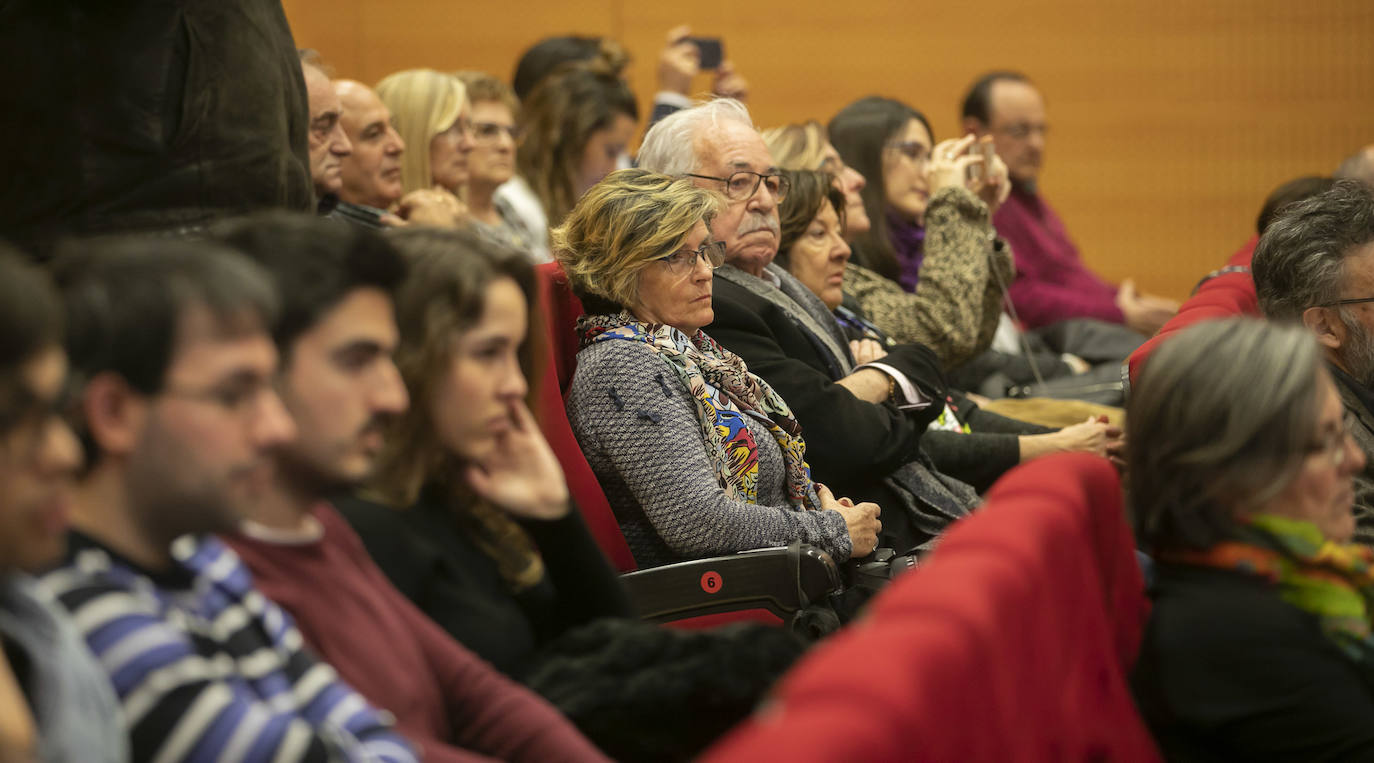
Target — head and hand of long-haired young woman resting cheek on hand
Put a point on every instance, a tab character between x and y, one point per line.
464	314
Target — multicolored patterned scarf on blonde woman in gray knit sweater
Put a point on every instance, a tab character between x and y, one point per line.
725	392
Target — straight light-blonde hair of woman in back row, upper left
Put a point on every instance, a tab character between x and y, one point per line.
424	104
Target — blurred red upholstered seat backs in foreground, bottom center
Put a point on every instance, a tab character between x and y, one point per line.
1011	643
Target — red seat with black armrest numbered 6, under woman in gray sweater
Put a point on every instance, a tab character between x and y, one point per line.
787	585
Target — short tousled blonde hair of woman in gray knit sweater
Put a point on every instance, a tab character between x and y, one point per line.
622	226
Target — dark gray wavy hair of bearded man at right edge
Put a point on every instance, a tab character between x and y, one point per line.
1300	261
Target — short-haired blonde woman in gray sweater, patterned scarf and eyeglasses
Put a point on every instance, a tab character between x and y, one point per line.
697	456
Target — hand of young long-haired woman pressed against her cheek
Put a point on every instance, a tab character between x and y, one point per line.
521	474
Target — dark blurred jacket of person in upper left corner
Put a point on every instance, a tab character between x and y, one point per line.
148	116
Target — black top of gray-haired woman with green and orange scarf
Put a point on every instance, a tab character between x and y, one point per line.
1230	672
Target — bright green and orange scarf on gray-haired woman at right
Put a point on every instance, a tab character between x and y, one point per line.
1331	581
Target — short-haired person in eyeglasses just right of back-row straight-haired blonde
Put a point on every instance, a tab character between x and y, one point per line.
493	163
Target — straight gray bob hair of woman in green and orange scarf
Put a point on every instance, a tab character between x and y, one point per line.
1218	424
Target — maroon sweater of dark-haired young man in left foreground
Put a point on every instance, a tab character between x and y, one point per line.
444	698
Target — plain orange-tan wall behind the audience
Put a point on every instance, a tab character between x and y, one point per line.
1171	119
